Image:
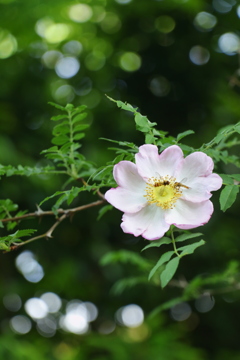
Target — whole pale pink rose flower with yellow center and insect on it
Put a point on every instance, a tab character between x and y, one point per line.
163	189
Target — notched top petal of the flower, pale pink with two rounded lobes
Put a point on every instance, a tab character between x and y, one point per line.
151	164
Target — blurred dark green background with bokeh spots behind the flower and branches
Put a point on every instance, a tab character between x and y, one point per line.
178	62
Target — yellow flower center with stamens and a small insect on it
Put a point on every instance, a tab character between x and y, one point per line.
163	191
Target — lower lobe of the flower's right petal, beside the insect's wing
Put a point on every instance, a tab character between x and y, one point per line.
200	188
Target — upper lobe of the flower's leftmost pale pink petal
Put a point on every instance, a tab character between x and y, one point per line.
126	175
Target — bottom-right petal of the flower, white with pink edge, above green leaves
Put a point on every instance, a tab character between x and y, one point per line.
189	214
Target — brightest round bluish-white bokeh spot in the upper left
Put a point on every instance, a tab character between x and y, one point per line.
67	67
